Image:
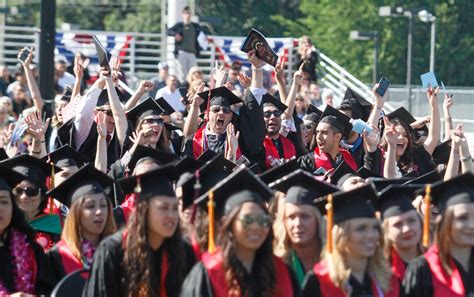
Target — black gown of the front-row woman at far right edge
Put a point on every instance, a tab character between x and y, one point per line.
418	280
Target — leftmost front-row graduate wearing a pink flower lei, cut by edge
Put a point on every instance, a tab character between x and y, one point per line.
23	264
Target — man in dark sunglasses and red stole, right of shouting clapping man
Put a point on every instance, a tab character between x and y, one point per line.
278	148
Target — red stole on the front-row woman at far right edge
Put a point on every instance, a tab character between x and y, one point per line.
444	284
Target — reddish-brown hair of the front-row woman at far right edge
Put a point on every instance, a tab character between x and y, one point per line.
443	239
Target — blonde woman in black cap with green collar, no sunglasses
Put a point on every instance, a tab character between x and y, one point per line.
299	228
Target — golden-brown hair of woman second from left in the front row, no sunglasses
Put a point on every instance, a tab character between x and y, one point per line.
72	230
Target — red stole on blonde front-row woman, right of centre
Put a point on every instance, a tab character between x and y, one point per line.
328	289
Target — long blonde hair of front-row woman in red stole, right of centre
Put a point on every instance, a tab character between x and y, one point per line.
339	272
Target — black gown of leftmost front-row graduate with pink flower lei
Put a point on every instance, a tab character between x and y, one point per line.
44	283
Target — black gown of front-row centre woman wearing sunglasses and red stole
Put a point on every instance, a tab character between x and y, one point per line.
198	284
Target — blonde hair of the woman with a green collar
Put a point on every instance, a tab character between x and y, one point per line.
282	243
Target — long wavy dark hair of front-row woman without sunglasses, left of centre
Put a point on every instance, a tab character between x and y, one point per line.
138	266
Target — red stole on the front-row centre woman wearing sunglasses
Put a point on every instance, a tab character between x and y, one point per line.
216	273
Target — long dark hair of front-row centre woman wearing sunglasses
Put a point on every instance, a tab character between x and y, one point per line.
263	277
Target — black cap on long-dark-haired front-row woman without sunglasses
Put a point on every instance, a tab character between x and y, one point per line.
152	183
